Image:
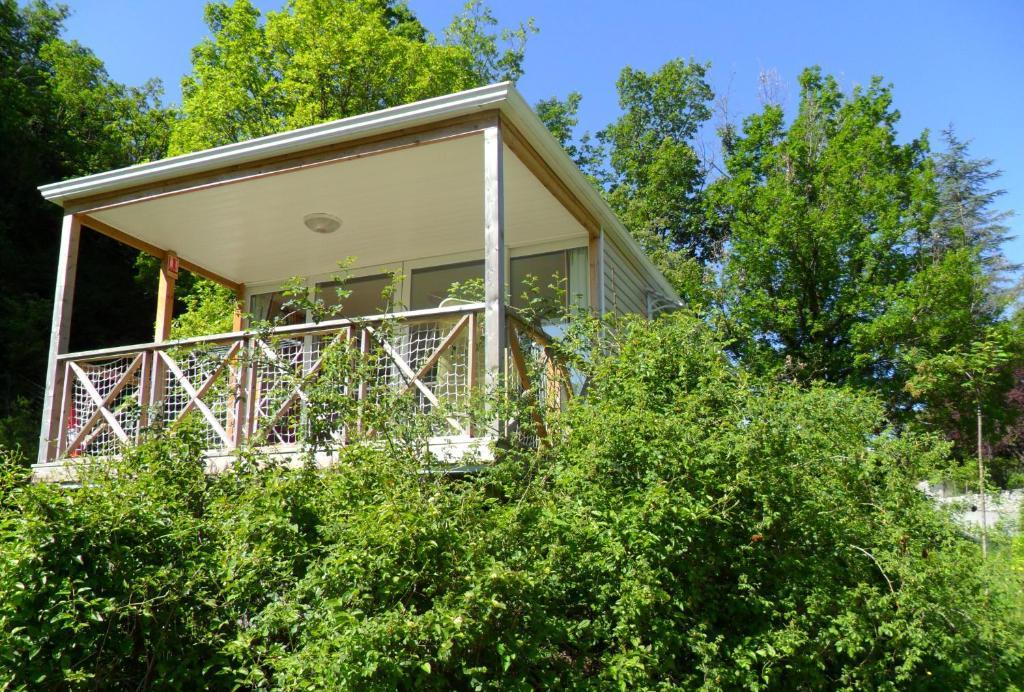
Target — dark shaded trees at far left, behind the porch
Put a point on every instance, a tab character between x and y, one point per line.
61	116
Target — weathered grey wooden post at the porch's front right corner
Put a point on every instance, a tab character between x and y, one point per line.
495	336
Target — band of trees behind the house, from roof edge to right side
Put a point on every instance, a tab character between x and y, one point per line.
824	250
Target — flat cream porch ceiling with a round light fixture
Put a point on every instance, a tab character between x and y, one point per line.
414	203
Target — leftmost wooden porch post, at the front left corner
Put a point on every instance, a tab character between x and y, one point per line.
64	297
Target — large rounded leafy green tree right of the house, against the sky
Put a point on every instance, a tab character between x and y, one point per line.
823	214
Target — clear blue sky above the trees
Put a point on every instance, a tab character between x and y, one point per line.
960	63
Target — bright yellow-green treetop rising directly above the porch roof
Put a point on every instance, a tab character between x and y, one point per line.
315	62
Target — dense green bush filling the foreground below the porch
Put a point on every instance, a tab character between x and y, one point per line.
688	527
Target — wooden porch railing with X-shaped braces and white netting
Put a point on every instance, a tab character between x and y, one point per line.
252	387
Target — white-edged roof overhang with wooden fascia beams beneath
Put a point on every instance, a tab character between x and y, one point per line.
87	194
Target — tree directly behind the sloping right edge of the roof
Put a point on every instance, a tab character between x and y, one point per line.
649	169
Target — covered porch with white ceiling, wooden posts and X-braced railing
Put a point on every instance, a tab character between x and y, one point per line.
457	191
